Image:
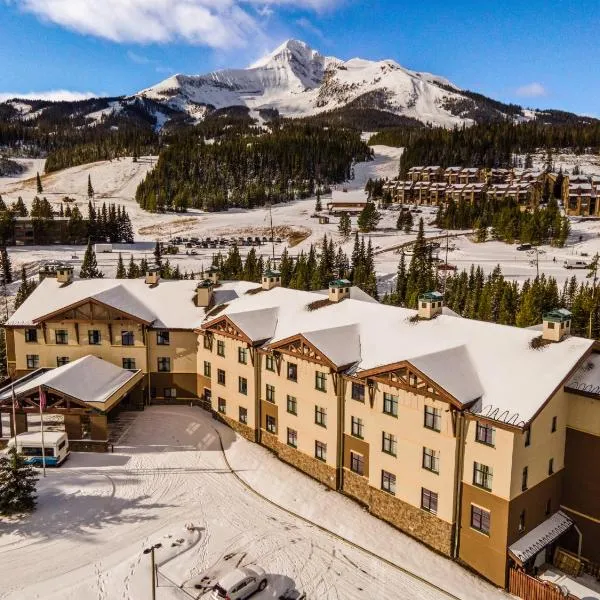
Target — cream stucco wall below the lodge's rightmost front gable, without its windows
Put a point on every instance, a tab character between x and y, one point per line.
411	437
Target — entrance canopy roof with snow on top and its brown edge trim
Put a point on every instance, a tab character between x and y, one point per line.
88	381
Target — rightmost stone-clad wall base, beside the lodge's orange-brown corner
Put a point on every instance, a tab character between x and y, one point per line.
417	523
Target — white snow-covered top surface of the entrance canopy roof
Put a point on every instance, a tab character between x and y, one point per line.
89	378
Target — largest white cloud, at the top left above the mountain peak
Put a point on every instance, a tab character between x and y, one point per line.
219	24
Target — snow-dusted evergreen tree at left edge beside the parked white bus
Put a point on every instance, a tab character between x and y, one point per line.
17	484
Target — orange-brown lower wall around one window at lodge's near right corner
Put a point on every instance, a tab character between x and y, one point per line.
486	554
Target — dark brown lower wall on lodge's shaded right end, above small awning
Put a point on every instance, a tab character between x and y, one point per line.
534	502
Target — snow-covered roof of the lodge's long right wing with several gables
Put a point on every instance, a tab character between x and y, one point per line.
494	365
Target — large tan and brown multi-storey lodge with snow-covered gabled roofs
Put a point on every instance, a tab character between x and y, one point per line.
472	437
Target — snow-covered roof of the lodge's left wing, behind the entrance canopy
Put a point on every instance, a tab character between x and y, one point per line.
169	305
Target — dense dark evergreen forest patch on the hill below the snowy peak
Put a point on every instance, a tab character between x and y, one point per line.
291	160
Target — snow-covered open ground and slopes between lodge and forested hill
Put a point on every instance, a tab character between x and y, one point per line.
116	181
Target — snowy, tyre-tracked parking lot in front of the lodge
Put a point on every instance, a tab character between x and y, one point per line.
172	485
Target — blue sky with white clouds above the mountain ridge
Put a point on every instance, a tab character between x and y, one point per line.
539	53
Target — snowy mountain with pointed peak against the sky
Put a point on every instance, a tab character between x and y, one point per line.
294	81
